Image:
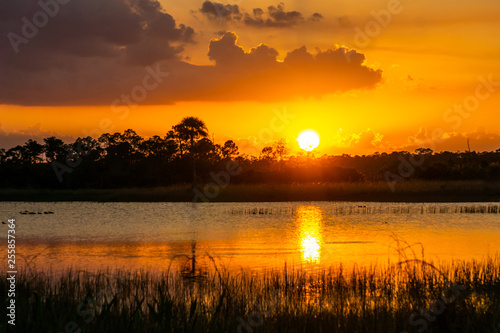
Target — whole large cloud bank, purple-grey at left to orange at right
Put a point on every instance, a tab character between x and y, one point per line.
96	52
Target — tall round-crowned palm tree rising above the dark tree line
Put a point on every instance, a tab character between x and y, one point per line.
191	129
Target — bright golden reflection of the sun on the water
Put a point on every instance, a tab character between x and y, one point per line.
309	219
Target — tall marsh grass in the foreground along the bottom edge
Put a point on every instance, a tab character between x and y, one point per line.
407	296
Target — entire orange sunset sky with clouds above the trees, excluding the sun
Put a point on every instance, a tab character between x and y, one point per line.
367	75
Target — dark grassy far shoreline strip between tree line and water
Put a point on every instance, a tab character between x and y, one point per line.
411	191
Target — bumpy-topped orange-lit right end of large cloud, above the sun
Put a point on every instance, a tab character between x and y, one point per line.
258	75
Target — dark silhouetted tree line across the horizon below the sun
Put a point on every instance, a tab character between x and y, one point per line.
187	155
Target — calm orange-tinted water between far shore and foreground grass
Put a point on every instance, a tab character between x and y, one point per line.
87	235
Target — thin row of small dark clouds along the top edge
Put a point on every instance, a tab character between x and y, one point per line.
274	17
